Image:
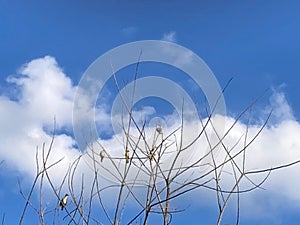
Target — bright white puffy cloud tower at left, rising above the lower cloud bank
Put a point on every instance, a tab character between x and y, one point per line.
45	91
